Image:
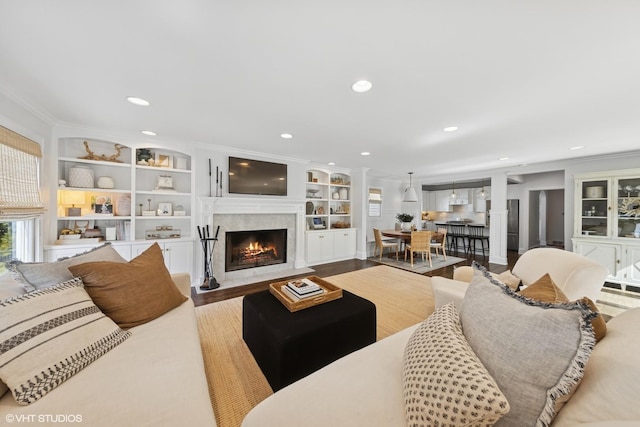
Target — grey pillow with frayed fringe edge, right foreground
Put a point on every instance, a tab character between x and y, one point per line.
536	351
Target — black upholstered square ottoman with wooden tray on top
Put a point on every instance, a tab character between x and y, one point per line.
289	346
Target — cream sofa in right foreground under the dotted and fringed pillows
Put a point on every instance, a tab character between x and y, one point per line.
366	387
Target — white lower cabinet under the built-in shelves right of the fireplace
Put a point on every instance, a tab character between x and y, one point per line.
330	245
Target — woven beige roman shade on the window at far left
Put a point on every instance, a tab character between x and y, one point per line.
19	188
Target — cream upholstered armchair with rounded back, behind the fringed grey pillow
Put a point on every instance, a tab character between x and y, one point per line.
576	275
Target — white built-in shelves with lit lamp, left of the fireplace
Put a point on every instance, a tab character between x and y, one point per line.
112	192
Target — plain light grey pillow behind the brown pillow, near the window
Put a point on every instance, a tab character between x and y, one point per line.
39	275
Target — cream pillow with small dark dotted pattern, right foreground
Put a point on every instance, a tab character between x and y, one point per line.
445	384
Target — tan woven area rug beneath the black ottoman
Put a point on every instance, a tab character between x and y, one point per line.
236	383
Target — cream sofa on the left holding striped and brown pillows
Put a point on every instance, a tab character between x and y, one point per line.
155	377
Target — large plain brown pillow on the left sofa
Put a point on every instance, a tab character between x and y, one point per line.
131	293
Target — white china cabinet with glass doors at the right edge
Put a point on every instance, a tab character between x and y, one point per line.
607	213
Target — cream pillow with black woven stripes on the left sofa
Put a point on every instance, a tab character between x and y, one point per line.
49	335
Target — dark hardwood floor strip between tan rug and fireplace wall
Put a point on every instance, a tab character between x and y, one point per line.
331	269
